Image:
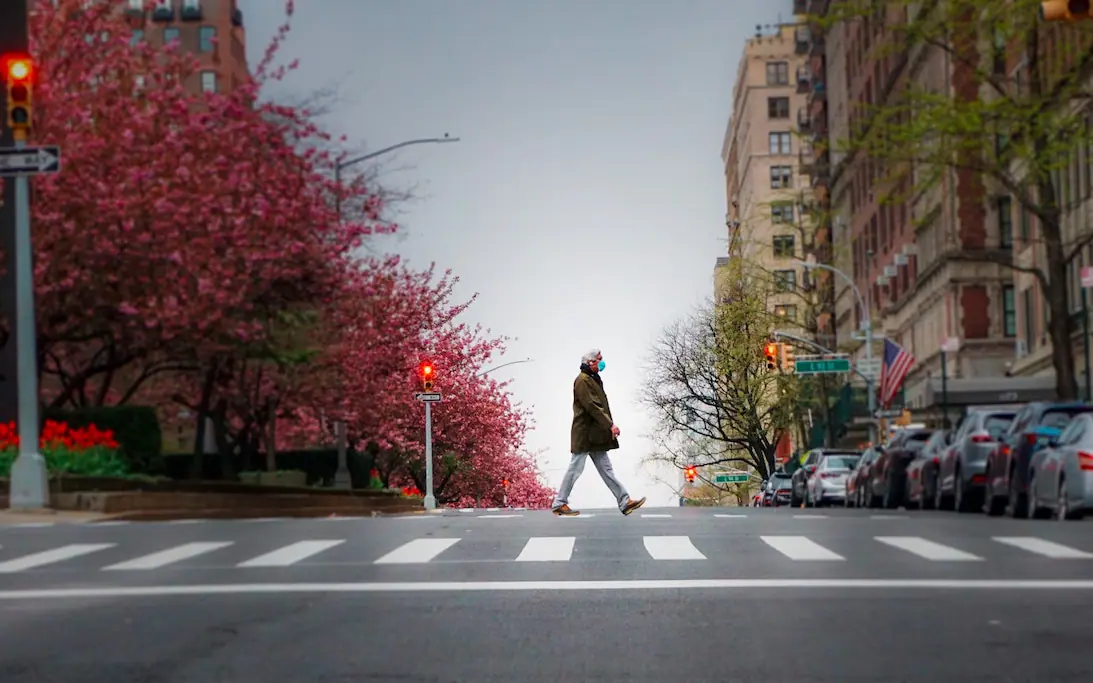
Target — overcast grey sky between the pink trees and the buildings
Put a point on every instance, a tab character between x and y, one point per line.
585	203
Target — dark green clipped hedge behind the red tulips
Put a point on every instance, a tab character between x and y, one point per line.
136	429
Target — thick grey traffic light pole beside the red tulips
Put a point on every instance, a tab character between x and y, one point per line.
30	484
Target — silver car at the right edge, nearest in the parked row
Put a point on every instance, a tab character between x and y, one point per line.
1061	476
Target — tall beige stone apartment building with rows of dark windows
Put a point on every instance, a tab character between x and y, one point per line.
762	151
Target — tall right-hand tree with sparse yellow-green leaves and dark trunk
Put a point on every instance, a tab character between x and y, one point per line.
1010	119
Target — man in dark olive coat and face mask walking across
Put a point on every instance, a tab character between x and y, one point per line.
593	435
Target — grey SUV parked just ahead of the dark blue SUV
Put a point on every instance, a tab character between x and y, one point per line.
962	470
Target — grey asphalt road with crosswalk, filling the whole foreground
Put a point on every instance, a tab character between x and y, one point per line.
691	595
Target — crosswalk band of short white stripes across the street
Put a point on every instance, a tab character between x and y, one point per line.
555	549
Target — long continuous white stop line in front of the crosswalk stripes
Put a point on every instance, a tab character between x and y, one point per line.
222	590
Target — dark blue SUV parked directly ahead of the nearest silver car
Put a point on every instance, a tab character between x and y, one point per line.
1007	467
